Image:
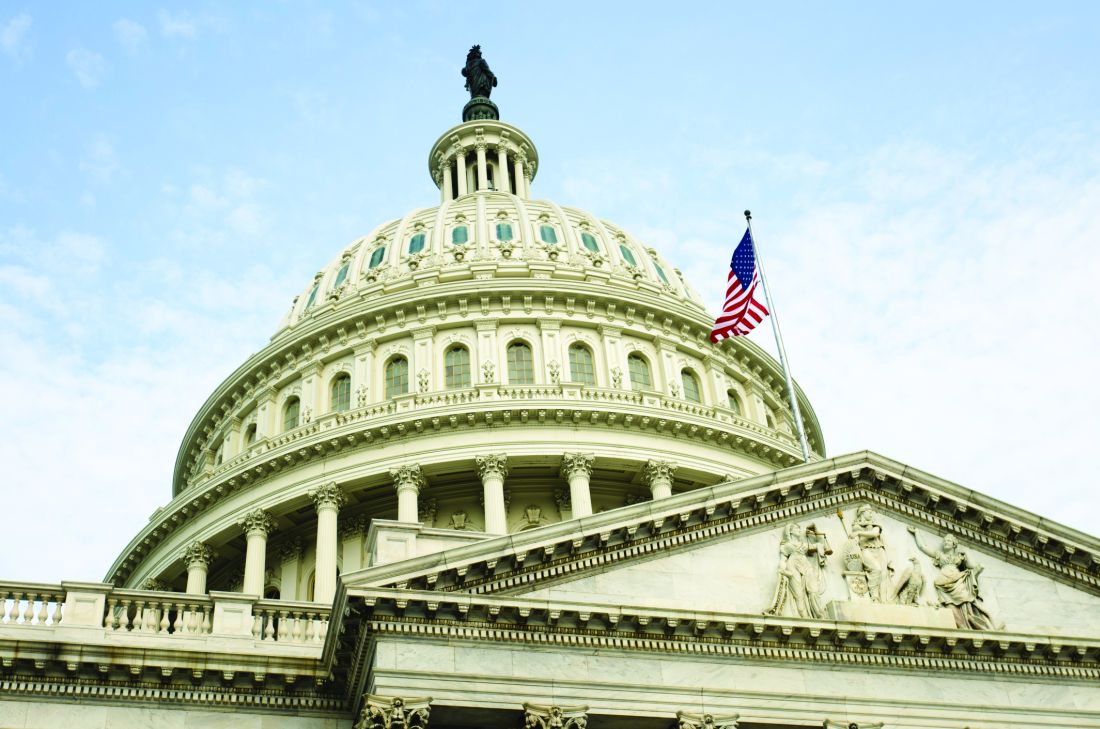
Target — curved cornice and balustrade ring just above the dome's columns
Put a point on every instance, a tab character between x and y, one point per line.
515	407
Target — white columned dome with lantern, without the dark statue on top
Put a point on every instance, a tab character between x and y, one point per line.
482	367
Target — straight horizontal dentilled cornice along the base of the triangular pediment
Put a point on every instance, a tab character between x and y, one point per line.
504	621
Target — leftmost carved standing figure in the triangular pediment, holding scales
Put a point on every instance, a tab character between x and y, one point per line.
802	554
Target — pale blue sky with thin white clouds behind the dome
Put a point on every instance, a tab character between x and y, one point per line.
926	184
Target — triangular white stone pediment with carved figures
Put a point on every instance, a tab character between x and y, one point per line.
753	547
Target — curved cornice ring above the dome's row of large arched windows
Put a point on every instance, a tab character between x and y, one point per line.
377	314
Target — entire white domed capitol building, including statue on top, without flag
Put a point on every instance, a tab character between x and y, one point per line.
491	472
